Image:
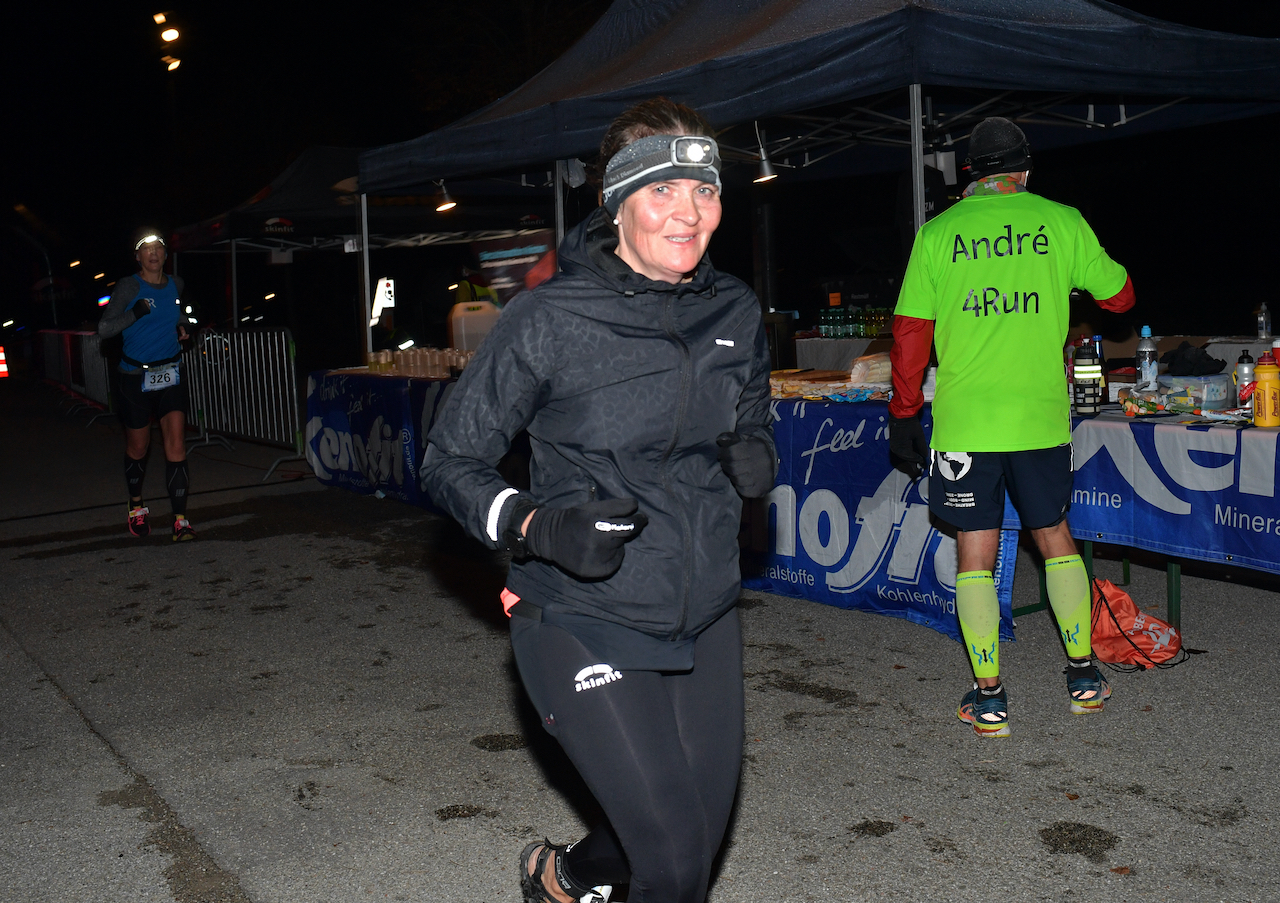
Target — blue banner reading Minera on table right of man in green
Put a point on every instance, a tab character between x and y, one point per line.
1205	492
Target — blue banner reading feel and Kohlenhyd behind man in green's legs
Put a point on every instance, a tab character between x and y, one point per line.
847	530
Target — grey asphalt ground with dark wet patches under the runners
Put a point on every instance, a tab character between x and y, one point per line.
317	703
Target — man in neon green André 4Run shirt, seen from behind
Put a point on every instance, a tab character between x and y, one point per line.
989	284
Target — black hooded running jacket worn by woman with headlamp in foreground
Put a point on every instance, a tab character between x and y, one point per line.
624	385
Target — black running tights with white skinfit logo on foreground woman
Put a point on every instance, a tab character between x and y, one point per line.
660	751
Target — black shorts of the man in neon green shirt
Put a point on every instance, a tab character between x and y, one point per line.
967	490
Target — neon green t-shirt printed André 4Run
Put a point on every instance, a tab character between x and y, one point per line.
995	273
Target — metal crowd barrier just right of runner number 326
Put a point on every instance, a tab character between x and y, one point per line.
244	385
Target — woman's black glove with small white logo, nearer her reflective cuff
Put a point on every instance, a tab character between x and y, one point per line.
586	541
